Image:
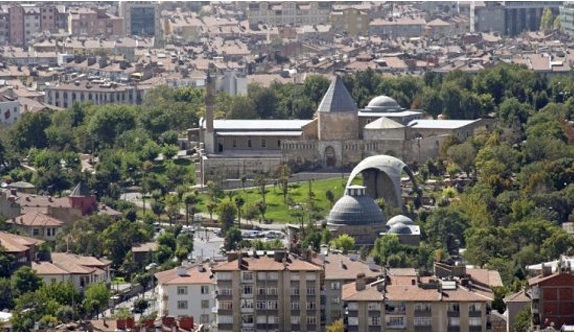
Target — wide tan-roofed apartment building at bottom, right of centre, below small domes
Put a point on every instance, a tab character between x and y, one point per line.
456	299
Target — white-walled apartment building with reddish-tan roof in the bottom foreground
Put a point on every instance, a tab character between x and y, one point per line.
188	290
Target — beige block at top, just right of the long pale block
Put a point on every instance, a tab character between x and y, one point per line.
354	19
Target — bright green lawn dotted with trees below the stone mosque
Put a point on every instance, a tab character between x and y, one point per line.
277	210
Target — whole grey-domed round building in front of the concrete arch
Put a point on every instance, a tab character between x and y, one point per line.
356	214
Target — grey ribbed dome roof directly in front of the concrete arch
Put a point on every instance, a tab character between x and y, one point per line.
354	208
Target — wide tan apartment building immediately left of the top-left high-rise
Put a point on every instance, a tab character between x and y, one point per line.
92	22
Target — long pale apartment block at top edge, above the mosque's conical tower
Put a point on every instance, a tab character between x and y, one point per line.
289	13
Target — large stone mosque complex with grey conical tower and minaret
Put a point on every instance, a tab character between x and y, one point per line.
338	138
